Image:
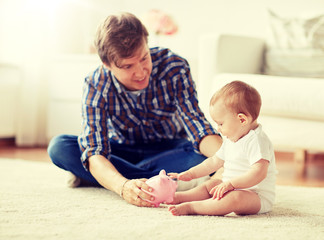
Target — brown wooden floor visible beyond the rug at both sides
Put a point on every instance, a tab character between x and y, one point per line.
314	176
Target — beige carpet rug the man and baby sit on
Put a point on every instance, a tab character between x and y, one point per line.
36	204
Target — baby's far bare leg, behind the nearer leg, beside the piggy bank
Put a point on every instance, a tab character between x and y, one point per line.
198	193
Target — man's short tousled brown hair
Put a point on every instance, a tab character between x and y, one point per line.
119	36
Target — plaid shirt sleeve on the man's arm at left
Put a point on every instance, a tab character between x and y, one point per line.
93	139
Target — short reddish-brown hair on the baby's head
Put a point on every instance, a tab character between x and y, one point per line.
239	97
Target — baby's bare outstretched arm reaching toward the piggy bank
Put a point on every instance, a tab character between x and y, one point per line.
205	168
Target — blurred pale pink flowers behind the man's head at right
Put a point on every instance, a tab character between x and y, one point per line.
160	23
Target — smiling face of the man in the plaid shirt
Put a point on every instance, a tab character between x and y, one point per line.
134	72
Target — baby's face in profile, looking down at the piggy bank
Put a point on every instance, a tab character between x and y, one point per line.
228	123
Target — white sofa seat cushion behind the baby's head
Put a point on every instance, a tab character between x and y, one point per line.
282	96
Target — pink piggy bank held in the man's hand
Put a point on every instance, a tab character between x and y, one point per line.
163	188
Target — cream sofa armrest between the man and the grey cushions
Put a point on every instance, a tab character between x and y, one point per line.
226	53
